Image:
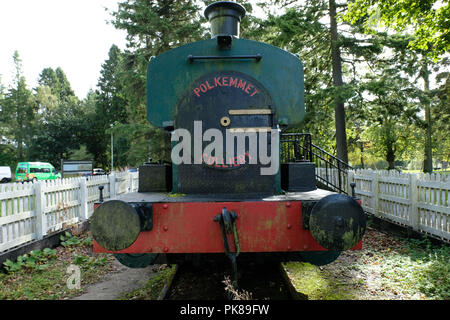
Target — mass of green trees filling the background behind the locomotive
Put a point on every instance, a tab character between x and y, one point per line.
382	76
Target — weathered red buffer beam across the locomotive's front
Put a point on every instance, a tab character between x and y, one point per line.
189	228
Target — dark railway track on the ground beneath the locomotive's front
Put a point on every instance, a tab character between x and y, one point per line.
212	281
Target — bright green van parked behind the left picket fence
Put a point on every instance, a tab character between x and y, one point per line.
32	171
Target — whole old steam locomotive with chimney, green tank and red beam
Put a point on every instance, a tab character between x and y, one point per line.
224	101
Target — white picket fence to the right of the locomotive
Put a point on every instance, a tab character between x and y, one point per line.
420	201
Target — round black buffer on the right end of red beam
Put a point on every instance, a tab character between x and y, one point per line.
337	222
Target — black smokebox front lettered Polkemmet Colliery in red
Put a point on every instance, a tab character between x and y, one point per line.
208	99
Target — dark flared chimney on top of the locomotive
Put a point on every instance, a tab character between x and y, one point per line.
225	18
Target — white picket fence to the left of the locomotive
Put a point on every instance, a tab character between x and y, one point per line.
31	211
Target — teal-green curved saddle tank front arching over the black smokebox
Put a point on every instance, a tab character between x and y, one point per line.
170	74
